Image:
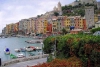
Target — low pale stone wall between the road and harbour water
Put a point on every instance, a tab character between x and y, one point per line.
24	59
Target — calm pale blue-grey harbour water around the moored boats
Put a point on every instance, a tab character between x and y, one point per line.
15	43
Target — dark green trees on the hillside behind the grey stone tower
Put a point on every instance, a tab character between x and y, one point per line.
77	10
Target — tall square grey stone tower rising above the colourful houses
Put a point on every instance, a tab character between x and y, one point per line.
89	15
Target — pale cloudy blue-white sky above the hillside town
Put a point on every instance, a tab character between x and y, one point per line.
11	11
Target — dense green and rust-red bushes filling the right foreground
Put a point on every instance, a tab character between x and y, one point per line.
82	49
